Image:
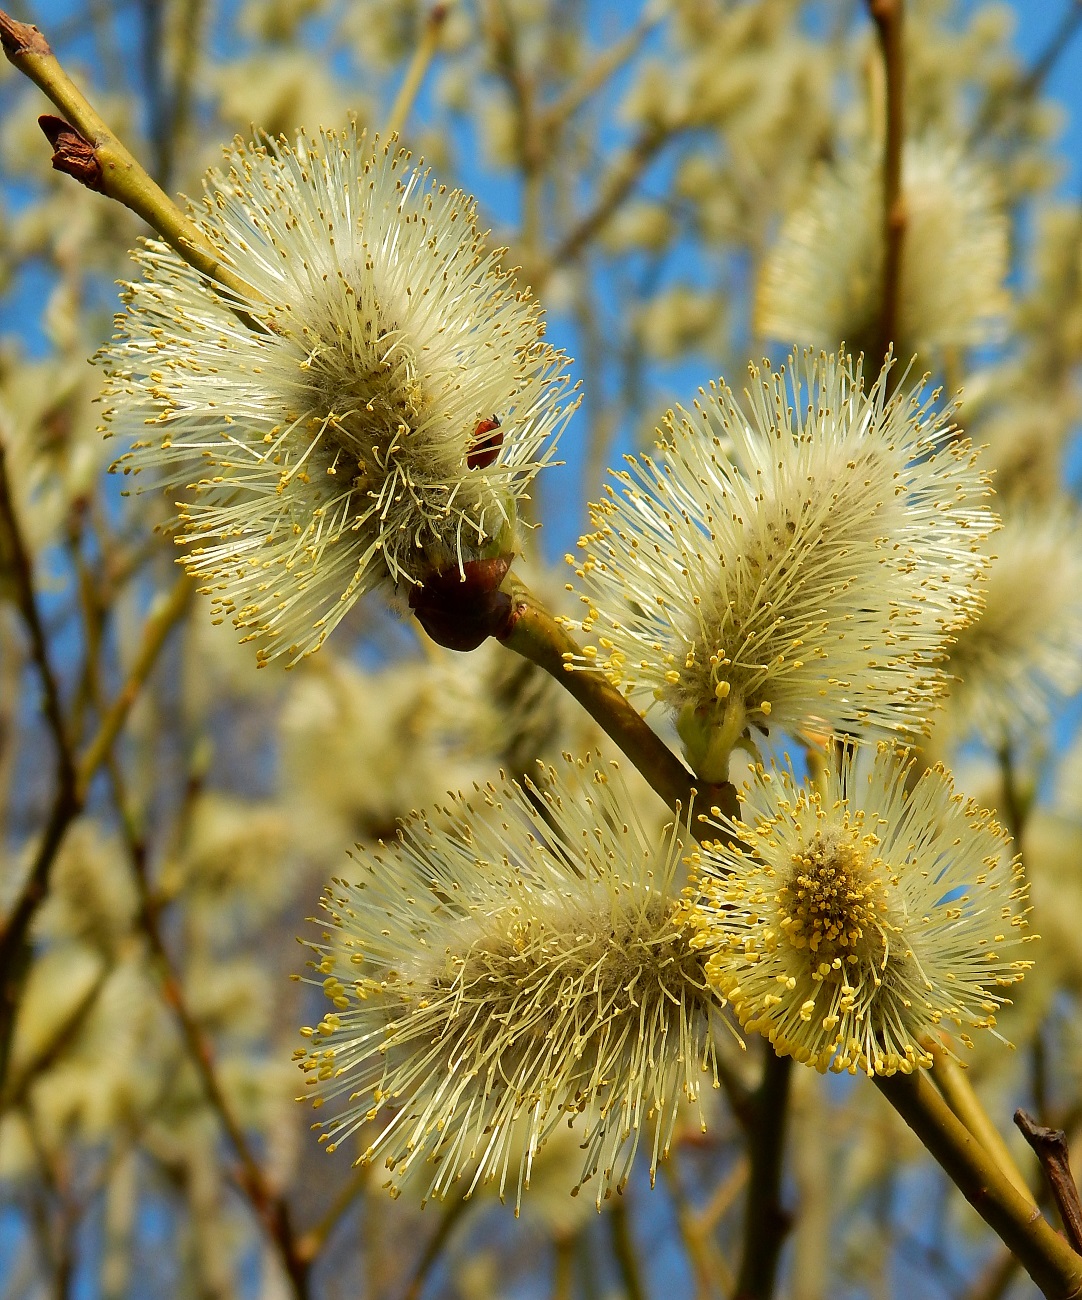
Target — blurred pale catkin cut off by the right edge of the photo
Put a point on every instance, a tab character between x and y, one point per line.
1025	651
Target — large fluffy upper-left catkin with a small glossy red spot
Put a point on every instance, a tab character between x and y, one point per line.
380	422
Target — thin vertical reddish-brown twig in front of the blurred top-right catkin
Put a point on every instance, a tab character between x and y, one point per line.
889	19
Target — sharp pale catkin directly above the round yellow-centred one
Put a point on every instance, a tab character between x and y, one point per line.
802	566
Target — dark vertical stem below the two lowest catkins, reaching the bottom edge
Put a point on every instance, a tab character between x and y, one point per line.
767	1223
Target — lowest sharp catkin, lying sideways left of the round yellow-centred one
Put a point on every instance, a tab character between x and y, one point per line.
509	965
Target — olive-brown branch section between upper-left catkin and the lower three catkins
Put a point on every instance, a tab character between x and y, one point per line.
536	636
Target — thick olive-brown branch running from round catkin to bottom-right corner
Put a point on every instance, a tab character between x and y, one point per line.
1044	1254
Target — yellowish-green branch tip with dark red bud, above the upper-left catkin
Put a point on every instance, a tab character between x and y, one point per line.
122	176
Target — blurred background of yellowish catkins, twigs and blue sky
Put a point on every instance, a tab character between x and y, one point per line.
639	163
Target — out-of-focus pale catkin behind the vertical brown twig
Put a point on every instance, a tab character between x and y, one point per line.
823	281
